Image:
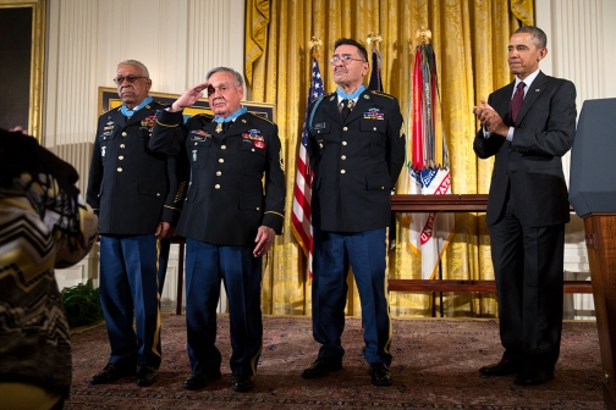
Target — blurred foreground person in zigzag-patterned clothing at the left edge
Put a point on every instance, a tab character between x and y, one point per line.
44	224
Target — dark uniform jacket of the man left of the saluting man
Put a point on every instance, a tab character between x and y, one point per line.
130	187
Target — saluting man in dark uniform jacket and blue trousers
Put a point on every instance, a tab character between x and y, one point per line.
229	220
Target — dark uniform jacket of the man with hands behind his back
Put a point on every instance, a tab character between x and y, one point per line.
356	162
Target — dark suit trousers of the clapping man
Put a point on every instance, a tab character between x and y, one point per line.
528	267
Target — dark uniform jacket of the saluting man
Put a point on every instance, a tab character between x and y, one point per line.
226	200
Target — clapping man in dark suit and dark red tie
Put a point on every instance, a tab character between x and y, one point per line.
528	125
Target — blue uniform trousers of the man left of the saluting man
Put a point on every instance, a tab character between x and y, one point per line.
129	292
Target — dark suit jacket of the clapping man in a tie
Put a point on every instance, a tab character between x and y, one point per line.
531	164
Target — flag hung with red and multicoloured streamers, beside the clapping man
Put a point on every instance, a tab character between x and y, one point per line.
427	162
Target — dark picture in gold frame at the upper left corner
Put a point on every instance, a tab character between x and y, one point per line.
22	52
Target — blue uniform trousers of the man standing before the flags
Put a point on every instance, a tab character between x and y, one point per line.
365	253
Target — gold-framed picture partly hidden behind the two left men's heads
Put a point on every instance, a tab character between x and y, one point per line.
108	99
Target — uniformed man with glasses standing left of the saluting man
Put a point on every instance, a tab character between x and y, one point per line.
137	196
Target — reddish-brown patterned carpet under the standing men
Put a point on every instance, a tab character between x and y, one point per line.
435	367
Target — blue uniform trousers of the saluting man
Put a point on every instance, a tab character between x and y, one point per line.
206	266
